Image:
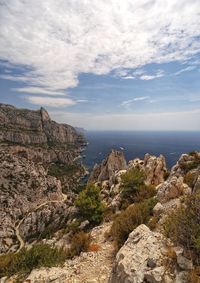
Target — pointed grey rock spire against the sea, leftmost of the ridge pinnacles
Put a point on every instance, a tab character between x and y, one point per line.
107	169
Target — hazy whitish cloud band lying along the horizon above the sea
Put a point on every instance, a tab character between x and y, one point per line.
181	121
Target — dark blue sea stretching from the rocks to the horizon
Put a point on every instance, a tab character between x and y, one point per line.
136	144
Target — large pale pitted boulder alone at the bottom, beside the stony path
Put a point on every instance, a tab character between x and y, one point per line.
131	264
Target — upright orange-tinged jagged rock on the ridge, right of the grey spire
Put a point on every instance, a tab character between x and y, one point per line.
154	168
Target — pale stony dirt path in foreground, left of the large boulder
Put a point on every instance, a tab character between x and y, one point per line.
90	267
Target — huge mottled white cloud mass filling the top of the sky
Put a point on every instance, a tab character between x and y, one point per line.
59	39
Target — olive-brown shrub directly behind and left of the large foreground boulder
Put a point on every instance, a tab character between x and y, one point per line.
129	219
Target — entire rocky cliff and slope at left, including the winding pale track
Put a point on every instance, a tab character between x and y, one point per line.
37	165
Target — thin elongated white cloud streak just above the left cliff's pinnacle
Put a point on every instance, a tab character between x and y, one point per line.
50	101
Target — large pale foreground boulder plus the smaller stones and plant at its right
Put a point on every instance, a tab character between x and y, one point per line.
145	258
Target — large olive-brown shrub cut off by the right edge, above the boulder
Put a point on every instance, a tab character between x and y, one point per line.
182	226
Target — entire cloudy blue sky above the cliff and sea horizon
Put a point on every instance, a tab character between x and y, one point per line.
103	65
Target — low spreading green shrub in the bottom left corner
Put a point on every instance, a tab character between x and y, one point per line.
41	255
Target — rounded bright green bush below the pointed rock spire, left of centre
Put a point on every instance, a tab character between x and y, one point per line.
89	204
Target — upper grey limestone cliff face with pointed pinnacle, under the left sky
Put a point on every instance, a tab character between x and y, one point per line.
25	127
